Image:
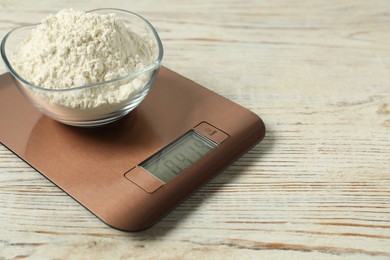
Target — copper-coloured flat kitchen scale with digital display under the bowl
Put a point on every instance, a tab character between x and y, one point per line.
132	172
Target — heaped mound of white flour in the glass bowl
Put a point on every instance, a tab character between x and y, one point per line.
73	48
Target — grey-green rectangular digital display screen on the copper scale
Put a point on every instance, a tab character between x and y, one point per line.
174	159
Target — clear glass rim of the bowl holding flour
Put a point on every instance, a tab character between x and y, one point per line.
152	66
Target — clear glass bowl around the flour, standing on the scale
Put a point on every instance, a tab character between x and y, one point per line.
47	101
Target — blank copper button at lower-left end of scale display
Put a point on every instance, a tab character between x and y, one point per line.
144	180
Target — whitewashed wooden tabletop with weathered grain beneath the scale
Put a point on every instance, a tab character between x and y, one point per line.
317	187
